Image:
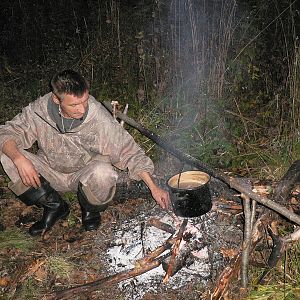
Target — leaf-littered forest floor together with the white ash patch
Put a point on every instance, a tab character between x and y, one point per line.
67	256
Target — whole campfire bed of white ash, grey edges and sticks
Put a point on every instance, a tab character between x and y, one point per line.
160	250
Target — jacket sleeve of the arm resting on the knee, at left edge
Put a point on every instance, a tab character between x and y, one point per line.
21	129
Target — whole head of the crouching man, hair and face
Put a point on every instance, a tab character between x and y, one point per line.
71	92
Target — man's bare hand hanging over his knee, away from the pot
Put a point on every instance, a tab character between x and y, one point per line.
27	172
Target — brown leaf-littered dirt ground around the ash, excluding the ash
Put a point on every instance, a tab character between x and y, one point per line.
68	257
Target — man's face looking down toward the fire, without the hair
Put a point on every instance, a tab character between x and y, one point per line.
72	106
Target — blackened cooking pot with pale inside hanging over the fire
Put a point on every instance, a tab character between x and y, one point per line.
190	196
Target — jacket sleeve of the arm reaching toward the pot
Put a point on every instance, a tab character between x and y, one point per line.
124	152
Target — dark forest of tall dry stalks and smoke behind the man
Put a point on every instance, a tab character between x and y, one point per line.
220	79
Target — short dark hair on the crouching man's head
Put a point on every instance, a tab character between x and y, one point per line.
68	82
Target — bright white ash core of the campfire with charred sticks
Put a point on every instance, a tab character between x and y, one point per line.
170	241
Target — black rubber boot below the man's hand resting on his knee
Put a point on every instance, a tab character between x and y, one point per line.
54	206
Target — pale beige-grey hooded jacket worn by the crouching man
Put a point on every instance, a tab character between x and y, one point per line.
98	137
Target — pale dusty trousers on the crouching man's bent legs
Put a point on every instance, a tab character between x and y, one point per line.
98	178
